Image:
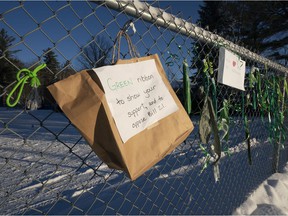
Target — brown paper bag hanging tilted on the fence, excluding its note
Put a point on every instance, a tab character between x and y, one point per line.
82	99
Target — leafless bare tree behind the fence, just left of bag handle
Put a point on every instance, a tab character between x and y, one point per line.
96	54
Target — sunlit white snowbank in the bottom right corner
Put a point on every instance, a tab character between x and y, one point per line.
270	198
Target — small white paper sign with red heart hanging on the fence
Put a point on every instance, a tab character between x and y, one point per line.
231	69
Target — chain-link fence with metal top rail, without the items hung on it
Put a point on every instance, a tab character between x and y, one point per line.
48	168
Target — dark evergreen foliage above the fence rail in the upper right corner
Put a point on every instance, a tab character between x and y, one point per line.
261	26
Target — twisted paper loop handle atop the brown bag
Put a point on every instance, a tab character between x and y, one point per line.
131	47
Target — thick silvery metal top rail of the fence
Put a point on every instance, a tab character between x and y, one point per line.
161	18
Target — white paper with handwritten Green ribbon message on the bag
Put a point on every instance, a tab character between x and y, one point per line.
136	96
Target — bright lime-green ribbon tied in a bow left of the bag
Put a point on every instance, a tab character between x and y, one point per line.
22	80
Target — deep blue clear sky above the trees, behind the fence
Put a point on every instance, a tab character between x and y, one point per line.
66	27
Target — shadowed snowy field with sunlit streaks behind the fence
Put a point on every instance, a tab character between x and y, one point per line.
47	168
